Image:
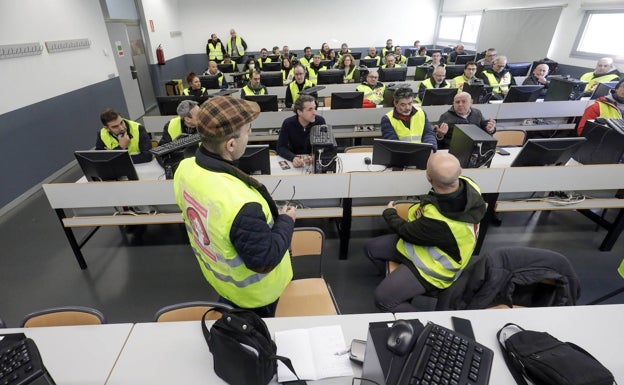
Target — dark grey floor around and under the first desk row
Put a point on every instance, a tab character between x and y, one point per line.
129	281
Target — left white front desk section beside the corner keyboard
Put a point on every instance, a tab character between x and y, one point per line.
78	355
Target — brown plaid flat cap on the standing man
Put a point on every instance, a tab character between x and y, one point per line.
222	115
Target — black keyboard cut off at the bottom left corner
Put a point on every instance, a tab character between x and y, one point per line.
20	362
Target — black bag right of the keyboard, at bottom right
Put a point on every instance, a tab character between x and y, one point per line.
544	360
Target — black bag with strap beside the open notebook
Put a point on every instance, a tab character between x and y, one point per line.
242	349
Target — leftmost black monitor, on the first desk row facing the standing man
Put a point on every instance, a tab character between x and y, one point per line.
106	165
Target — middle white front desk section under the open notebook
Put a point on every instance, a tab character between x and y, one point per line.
176	352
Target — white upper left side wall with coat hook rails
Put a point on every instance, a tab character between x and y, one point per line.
28	80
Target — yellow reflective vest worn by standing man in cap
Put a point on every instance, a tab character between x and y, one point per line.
209	210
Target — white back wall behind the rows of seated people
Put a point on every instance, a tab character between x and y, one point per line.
296	23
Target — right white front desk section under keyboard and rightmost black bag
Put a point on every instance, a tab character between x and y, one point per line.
597	329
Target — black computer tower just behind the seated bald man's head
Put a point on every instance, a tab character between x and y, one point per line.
473	146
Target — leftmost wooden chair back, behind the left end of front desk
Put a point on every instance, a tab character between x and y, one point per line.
64	316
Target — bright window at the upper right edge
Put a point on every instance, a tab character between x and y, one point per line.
601	35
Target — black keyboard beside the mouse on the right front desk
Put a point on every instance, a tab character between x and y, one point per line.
447	357
